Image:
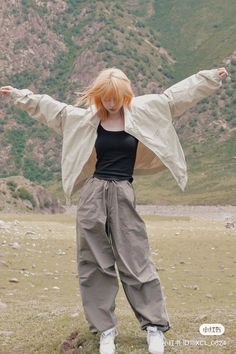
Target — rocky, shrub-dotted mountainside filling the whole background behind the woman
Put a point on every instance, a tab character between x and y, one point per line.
58	49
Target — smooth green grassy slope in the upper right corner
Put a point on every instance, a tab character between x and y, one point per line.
198	34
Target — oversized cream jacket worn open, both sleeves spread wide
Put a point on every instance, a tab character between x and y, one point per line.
149	120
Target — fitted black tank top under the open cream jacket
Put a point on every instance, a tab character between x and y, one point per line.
116	154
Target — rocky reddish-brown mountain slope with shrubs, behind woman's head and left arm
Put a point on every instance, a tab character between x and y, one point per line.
58	50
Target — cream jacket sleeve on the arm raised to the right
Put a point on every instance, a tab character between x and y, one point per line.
186	93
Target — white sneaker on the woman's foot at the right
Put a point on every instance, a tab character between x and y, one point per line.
155	340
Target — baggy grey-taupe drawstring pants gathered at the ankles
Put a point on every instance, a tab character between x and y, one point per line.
109	232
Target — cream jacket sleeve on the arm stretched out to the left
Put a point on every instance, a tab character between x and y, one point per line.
43	108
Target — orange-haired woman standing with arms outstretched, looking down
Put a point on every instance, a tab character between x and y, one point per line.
118	135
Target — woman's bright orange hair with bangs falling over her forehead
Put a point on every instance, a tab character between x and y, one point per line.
109	83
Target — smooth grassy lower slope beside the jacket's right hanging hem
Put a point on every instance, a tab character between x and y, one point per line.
211	179
